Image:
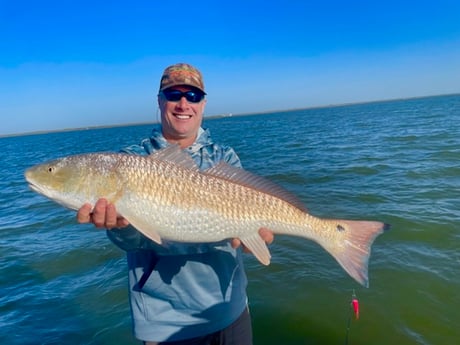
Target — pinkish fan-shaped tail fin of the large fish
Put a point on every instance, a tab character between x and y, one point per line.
355	248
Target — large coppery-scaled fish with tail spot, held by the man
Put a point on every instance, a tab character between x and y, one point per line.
165	196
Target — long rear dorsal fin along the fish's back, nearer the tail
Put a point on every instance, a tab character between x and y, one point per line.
244	178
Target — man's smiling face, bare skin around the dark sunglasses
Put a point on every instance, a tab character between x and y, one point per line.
181	119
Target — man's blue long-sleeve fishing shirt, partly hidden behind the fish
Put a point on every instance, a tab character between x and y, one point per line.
182	290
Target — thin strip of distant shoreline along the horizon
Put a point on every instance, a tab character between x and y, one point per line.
219	116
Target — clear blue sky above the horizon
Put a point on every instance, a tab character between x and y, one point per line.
66	64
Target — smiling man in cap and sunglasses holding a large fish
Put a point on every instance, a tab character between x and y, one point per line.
182	293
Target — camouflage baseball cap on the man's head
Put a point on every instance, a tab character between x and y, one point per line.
181	74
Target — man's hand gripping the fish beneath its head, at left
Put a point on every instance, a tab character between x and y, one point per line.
104	215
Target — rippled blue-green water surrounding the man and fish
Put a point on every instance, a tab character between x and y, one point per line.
397	162
